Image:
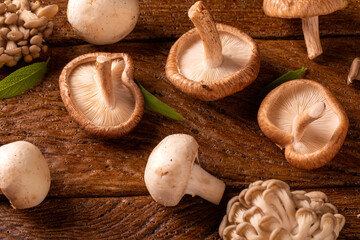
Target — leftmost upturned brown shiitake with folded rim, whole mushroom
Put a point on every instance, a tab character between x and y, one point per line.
123	76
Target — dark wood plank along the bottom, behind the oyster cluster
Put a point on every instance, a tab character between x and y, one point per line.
140	218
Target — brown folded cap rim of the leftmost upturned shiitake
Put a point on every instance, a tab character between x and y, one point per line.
80	118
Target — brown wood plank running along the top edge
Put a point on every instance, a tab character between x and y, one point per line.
162	19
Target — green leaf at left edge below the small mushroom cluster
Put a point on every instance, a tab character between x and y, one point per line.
22	80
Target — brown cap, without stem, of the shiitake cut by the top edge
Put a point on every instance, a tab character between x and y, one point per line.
302	8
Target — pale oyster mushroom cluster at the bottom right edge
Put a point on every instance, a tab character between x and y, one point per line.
268	210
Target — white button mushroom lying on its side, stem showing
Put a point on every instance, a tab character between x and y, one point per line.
171	173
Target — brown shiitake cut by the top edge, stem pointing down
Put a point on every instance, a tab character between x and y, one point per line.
309	11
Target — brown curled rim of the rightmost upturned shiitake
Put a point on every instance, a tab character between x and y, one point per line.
312	160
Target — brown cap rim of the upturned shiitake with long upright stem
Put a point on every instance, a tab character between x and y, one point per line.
213	90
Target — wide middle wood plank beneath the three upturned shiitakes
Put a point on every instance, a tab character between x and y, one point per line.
232	147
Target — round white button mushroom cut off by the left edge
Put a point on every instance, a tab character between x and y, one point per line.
24	174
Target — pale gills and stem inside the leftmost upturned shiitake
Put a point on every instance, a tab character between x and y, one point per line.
99	93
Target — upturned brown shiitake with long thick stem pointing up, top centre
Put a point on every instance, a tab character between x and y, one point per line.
212	61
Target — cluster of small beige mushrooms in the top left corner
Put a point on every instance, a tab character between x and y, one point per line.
23	27
